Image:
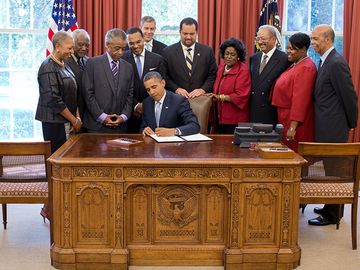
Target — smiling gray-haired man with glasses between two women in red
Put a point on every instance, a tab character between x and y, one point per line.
265	66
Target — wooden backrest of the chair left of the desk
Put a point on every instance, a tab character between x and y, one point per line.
24	162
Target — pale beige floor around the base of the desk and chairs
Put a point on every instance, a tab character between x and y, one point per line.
25	244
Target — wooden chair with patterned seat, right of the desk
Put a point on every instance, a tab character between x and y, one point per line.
331	176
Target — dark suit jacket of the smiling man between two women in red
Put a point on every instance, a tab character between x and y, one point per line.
261	110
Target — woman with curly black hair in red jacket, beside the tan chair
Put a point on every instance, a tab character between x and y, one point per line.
232	86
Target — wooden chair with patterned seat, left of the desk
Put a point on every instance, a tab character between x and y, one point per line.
24	173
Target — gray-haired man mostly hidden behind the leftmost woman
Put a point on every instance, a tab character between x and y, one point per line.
78	60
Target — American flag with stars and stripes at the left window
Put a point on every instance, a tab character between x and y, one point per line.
62	18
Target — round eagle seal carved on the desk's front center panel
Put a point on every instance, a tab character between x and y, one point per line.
177	205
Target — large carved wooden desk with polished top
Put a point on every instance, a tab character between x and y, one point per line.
209	203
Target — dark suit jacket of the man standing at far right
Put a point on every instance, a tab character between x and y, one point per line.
335	100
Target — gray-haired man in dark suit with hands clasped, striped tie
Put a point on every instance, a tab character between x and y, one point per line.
108	87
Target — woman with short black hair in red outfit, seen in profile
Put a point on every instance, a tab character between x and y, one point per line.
293	91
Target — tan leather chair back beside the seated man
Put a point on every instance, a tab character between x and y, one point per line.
201	108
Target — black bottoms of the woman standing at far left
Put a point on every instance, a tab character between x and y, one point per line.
55	133
